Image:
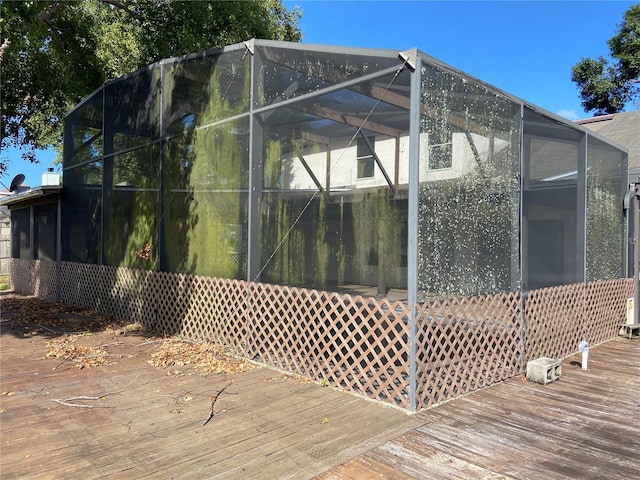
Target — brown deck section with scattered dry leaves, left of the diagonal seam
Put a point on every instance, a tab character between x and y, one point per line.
267	425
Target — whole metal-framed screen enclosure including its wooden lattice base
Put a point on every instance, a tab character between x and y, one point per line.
373	218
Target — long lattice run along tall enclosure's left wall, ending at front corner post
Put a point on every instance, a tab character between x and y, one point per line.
358	344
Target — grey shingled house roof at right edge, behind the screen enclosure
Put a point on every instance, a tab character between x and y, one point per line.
623	129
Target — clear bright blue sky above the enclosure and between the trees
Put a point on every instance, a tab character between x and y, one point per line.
525	48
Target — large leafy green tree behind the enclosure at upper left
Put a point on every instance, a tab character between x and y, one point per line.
54	53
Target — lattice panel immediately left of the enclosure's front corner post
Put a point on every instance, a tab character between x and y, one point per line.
359	344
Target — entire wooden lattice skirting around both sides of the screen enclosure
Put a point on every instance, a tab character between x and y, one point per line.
360	344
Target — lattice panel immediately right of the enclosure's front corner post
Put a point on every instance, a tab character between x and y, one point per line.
466	343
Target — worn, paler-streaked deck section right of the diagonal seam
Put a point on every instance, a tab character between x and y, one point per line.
584	426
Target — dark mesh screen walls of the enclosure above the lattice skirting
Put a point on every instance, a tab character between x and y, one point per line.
334	169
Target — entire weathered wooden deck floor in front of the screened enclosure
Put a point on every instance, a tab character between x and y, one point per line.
148	422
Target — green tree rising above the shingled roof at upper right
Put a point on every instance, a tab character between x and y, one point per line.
607	85
